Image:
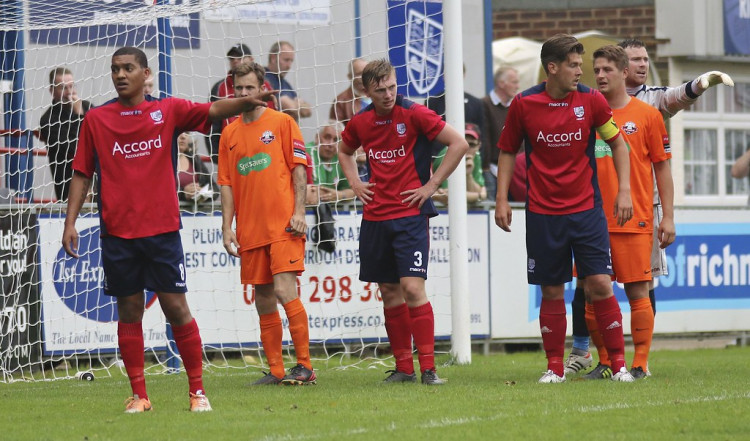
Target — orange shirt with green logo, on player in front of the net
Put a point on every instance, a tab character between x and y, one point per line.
256	159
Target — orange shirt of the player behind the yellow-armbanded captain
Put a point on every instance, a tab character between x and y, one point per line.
648	142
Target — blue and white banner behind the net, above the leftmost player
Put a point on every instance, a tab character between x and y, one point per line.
119	30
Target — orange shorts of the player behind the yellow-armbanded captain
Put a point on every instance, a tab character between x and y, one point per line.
631	256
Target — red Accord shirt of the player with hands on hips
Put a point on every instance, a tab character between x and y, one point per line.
399	155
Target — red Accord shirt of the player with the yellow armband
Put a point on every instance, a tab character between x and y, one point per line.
560	136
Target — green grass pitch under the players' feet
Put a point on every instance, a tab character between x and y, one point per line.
693	395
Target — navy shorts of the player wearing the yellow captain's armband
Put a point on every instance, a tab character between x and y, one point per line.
552	241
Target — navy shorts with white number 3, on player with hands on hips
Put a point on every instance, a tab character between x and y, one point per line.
389	250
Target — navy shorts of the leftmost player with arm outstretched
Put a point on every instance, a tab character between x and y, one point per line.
155	263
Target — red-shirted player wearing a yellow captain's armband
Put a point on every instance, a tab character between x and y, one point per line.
564	213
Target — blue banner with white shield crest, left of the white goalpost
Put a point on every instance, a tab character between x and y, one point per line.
415	46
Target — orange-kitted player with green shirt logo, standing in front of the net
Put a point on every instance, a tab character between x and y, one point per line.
263	178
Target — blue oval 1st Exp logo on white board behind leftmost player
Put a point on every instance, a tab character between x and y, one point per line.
79	282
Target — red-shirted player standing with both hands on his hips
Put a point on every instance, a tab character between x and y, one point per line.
394	243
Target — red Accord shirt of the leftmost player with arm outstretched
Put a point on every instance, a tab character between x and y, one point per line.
134	151
